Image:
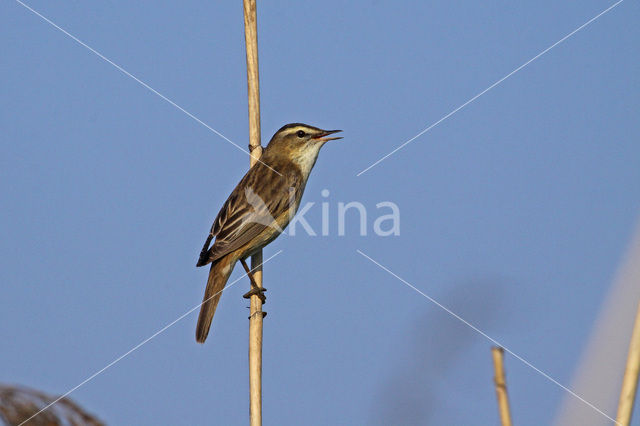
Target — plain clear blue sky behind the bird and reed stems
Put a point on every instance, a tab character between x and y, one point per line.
515	211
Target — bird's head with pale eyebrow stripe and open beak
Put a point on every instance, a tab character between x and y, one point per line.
299	143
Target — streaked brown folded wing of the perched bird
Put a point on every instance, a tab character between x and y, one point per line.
250	209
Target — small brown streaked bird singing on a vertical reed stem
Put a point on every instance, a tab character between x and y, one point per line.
257	211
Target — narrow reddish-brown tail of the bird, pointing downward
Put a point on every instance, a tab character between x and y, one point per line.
218	276
